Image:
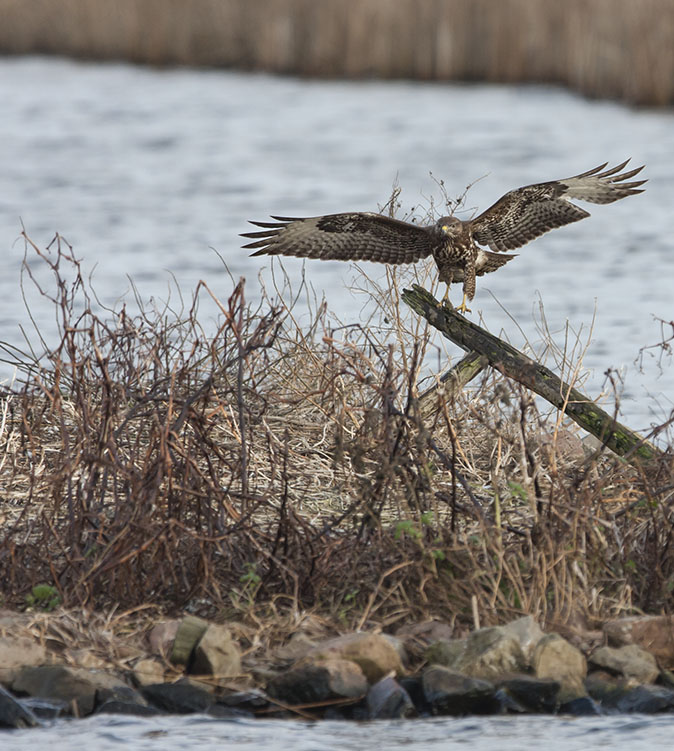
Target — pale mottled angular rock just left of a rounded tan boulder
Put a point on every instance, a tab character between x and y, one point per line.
491	653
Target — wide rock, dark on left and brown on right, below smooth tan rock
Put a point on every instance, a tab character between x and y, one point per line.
325	679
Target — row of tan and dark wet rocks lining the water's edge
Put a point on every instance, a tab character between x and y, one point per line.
190	665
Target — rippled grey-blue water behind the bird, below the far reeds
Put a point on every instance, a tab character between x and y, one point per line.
145	172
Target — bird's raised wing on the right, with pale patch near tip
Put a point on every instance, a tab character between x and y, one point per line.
525	213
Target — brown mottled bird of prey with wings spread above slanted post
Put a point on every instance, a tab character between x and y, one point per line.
518	217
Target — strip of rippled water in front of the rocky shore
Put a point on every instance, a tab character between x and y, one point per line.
639	733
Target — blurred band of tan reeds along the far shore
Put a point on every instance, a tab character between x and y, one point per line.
609	48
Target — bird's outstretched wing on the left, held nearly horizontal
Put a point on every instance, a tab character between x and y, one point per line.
343	237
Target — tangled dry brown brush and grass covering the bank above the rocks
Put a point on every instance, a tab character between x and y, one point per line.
273	468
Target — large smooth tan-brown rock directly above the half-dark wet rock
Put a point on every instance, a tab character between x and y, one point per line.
377	655
